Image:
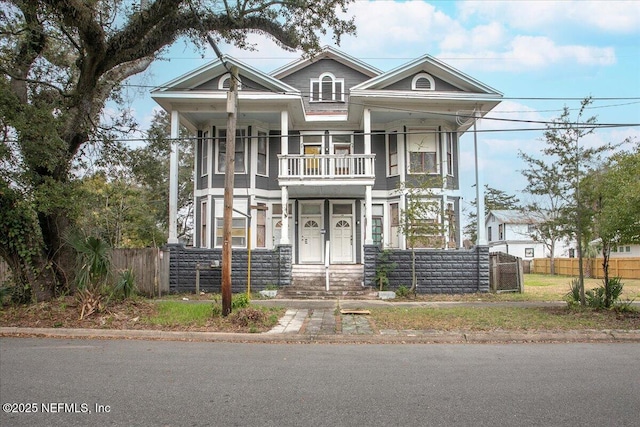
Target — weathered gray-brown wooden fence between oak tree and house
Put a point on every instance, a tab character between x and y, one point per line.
150	267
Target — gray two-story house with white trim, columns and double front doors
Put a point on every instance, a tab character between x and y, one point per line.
323	147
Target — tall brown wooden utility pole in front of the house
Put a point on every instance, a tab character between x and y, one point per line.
232	107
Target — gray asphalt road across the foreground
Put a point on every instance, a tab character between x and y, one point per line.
154	383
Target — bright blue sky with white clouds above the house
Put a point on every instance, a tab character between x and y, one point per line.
541	55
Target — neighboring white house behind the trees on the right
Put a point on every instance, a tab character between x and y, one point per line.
510	231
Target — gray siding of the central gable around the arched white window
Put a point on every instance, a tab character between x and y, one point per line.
301	80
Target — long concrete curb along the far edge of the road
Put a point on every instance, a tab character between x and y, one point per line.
444	337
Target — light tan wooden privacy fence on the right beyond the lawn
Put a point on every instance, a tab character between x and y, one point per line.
625	268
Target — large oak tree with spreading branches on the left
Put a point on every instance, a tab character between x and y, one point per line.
62	60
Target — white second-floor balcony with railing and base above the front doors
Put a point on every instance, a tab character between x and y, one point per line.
326	169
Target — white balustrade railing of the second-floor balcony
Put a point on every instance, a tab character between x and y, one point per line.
329	166
